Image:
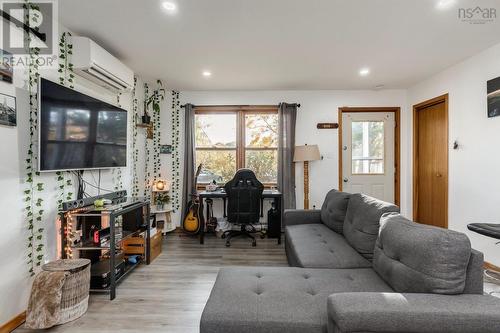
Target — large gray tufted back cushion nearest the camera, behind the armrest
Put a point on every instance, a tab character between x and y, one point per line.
417	258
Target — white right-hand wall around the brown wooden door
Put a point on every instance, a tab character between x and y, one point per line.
474	178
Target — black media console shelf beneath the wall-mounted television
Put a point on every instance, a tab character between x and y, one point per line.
98	233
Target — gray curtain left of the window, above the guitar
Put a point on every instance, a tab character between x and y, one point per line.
188	187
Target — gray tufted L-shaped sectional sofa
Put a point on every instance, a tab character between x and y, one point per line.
358	266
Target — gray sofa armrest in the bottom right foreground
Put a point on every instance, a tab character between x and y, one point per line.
415	313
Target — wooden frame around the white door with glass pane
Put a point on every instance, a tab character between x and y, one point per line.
397	152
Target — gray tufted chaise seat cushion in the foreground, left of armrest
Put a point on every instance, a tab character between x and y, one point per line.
279	299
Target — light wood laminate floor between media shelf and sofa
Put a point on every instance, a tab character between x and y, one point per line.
169	295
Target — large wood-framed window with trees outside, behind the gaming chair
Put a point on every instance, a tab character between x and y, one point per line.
230	138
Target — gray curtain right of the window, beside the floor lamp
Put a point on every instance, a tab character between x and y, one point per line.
286	168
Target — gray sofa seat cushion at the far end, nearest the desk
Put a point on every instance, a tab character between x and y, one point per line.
316	246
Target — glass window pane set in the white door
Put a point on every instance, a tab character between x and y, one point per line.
367	147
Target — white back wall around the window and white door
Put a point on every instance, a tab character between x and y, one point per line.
316	106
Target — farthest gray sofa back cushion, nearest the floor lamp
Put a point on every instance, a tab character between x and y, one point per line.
334	209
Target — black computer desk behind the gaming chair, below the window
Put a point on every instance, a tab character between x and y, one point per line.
274	195
